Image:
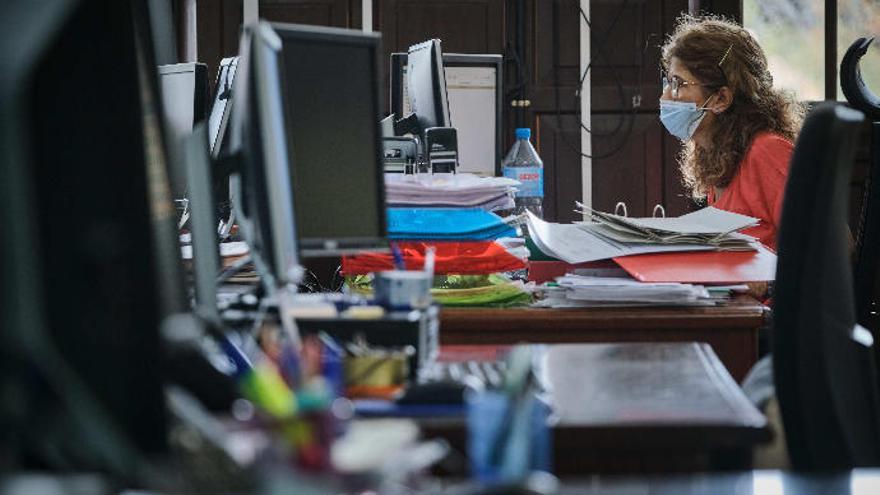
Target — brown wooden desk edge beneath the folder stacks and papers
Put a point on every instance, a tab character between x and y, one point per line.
731	329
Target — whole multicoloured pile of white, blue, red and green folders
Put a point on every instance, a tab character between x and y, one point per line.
453	214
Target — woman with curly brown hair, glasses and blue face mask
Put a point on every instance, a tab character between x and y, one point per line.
738	131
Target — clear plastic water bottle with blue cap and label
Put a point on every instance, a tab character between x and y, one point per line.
523	164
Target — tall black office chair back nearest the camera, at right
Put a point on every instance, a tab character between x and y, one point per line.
822	360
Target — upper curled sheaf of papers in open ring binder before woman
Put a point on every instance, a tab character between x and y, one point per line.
709	226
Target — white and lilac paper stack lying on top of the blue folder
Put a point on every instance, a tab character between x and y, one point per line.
449	190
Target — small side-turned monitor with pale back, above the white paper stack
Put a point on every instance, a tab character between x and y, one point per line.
427	85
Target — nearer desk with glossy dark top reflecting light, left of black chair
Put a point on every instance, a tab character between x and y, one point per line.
624	408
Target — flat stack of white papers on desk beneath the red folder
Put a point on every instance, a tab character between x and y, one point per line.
588	290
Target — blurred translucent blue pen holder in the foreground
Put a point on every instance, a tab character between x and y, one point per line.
506	440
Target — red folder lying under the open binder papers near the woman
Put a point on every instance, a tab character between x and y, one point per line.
702	267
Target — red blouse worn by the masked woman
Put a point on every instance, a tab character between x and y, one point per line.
758	186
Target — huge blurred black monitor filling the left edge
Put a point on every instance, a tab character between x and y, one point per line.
83	196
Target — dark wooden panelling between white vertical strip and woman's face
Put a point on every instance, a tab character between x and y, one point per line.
644	172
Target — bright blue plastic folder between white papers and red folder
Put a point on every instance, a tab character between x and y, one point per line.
446	224
